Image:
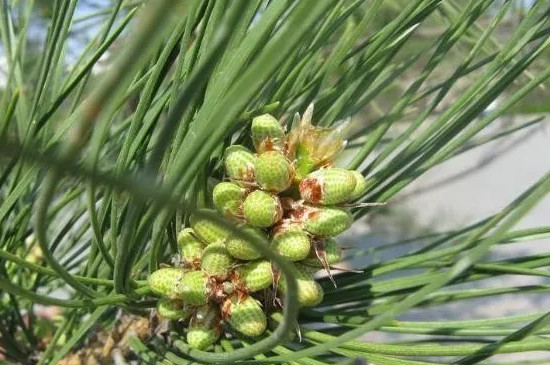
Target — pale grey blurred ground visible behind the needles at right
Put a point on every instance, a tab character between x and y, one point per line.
519	162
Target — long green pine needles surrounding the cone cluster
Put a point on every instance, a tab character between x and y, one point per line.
99	170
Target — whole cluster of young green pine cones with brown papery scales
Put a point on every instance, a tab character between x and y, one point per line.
287	193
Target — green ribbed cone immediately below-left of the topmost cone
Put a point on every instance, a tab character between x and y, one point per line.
239	165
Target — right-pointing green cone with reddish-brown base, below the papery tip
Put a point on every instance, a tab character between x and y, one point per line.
328	186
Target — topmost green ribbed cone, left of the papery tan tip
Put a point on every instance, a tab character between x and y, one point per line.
267	133
